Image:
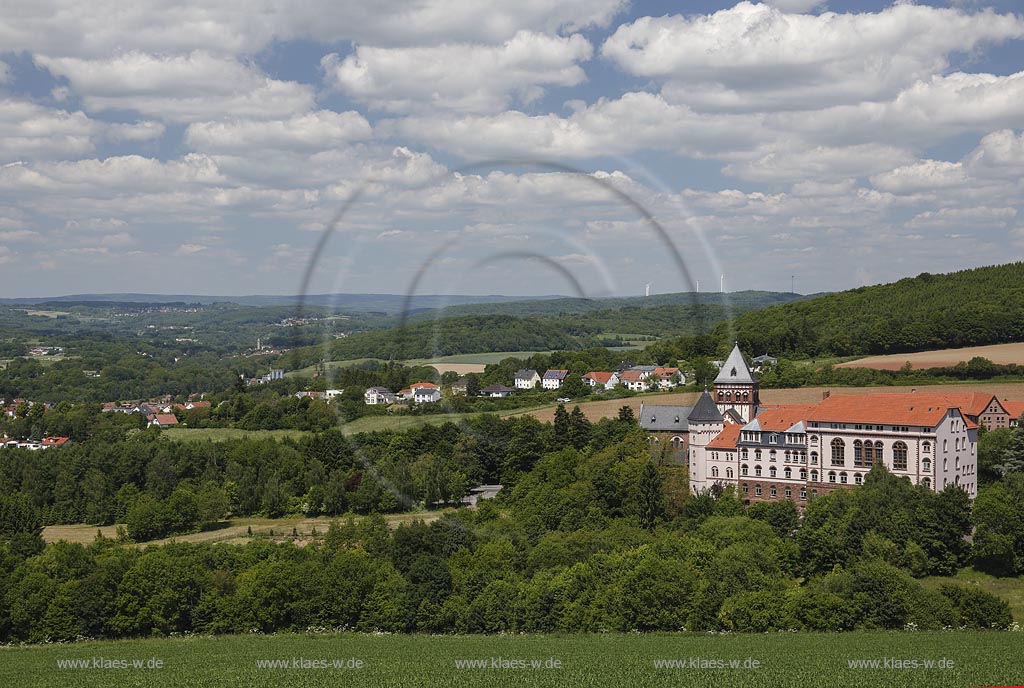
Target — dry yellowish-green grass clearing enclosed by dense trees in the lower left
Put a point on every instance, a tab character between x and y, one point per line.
235	532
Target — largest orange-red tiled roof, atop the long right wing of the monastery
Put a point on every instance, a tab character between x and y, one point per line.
915	409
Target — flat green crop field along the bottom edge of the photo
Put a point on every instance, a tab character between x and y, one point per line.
798	660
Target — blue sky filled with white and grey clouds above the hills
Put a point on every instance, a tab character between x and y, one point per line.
538	147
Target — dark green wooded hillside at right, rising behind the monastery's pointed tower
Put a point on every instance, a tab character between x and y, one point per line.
967	309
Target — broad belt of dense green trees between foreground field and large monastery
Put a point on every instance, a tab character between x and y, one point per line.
589	536
